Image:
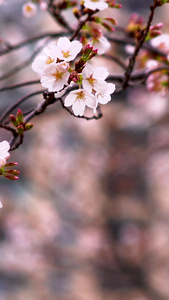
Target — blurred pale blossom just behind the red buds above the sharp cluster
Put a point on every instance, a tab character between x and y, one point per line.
100	43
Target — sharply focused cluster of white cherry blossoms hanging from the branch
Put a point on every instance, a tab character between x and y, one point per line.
57	73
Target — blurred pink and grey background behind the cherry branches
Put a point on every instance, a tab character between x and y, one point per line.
89	217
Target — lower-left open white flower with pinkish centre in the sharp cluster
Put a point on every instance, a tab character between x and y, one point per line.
55	76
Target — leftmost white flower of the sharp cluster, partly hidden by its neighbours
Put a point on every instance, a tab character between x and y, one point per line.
44	60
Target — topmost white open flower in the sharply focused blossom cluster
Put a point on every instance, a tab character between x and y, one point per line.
66	50
